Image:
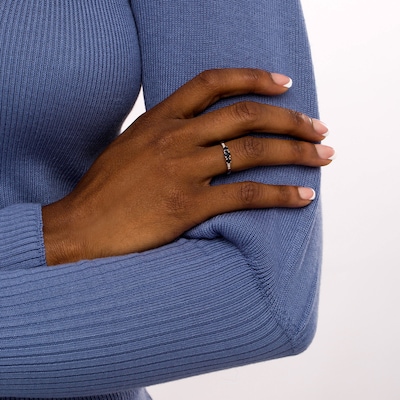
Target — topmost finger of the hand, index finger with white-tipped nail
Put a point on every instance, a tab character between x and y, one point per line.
212	85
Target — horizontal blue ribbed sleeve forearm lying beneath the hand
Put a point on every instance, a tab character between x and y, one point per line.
136	320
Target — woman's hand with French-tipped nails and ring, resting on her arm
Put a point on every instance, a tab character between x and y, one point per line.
153	182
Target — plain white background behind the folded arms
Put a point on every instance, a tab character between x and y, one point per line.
355	45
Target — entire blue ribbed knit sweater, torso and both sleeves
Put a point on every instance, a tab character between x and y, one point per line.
238	289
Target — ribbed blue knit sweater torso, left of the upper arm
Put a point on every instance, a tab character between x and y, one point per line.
70	71
